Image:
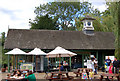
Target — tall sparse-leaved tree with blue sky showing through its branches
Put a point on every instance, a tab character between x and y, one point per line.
64	13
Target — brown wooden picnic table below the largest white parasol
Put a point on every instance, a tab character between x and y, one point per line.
59	76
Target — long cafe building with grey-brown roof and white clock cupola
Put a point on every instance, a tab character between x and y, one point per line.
84	43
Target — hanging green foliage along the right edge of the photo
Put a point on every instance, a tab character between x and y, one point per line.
114	13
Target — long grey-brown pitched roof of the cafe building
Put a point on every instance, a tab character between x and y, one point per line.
49	39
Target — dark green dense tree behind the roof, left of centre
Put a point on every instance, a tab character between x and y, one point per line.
43	22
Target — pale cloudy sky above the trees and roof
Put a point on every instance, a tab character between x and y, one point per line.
15	14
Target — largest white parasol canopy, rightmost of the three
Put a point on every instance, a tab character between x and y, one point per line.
59	51
